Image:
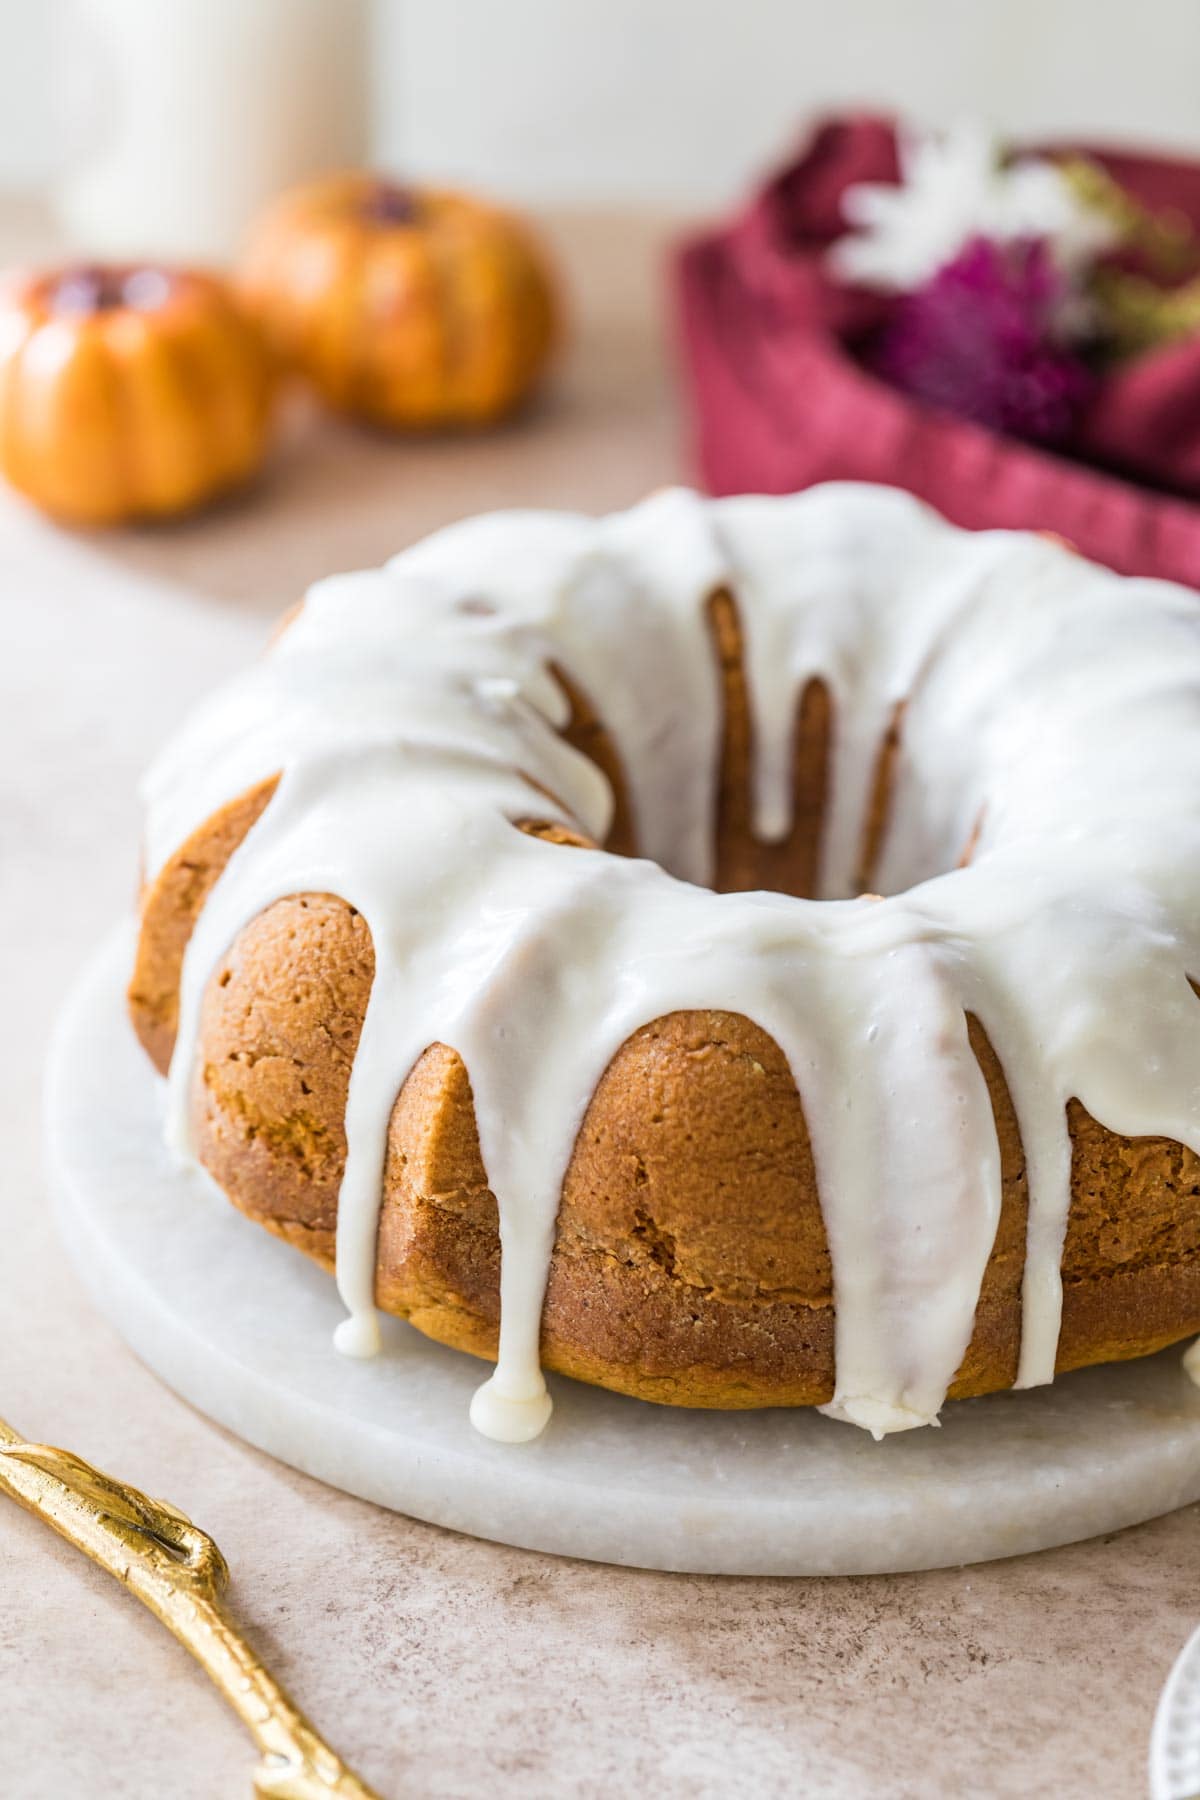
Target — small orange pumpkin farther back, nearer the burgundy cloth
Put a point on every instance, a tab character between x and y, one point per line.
406	307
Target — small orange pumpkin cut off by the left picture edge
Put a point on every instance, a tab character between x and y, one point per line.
129	393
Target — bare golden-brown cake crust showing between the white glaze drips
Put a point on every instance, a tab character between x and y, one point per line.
692	1261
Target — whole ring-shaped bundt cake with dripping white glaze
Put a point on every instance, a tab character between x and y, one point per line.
735	953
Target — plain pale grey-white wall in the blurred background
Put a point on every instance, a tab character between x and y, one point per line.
677	103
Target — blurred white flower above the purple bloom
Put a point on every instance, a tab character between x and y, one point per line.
956	186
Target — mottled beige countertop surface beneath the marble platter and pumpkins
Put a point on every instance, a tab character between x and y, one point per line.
442	1666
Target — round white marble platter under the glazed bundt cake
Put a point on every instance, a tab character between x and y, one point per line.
242	1326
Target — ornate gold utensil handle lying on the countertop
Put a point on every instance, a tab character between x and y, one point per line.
179	1574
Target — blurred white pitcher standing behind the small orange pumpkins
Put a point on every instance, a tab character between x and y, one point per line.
188	116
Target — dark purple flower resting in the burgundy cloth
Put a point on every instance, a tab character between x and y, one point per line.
985	339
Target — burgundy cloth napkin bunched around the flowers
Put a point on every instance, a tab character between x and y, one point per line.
782	402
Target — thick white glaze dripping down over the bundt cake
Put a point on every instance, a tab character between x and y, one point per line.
1050	708
